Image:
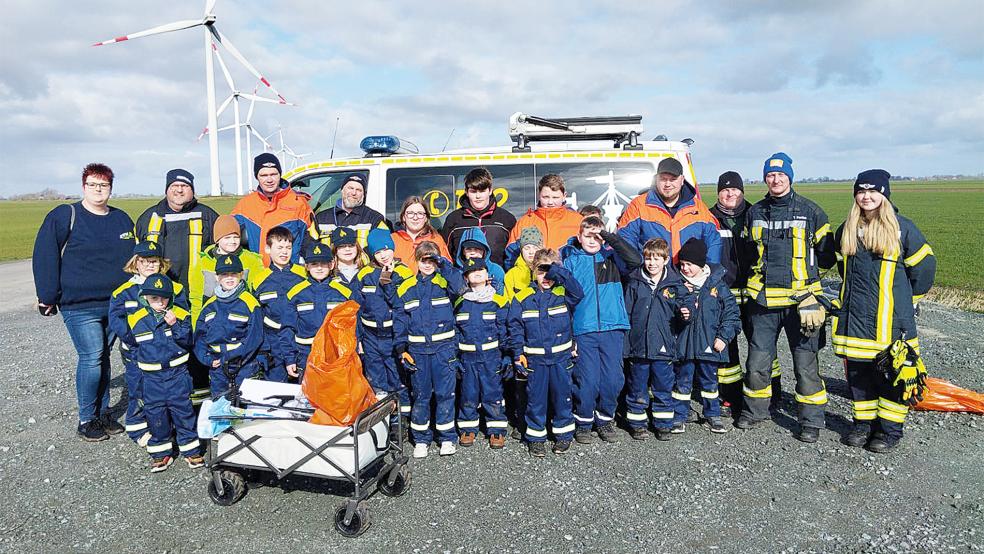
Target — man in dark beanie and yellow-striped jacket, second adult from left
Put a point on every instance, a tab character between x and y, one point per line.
179	224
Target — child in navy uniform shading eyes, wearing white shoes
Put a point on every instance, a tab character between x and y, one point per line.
425	341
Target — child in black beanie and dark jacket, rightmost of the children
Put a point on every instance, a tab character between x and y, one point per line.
713	321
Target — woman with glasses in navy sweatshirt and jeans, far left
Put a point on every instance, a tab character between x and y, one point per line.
79	255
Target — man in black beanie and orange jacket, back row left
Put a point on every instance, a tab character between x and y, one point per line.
273	204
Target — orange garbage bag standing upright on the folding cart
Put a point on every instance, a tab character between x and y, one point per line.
333	381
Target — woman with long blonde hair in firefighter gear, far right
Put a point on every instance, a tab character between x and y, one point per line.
887	266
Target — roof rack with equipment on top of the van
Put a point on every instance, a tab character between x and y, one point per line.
524	129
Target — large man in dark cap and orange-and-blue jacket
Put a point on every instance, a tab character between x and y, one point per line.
671	210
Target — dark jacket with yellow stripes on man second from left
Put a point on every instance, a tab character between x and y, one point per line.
181	234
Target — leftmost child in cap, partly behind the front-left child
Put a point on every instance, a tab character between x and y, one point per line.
146	261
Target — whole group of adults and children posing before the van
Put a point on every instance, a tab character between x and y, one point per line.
546	323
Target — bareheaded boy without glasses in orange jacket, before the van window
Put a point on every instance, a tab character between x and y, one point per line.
556	221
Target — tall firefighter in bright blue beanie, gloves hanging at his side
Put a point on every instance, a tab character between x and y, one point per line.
789	245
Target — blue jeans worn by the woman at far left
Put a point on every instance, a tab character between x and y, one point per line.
89	329
